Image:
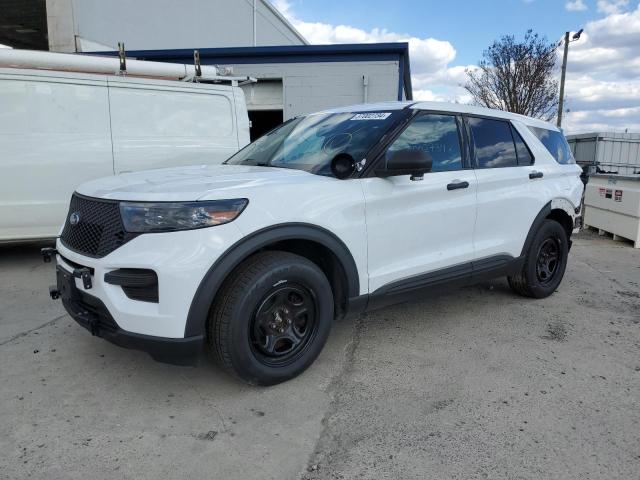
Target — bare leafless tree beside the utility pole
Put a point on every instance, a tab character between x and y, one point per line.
517	76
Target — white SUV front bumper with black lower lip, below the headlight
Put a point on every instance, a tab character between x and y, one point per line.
180	260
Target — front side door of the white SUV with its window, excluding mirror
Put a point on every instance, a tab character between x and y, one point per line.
416	227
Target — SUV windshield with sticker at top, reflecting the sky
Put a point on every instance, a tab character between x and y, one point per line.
310	143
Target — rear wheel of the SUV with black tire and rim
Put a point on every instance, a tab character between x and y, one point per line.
541	275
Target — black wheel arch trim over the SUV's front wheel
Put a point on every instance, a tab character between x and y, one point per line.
246	246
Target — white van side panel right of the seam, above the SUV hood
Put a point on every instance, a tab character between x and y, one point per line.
156	124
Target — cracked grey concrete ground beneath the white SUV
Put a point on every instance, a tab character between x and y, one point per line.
477	383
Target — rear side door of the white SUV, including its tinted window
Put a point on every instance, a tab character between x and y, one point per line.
511	188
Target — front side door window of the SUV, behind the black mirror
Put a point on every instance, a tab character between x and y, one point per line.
435	135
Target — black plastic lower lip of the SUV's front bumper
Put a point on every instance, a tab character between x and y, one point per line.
93	315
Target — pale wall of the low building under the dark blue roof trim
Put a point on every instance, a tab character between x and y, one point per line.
309	87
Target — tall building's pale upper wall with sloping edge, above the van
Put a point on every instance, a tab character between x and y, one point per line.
85	25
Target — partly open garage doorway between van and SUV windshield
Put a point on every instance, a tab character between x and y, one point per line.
265	102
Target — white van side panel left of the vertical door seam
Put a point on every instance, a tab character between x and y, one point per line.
54	135
